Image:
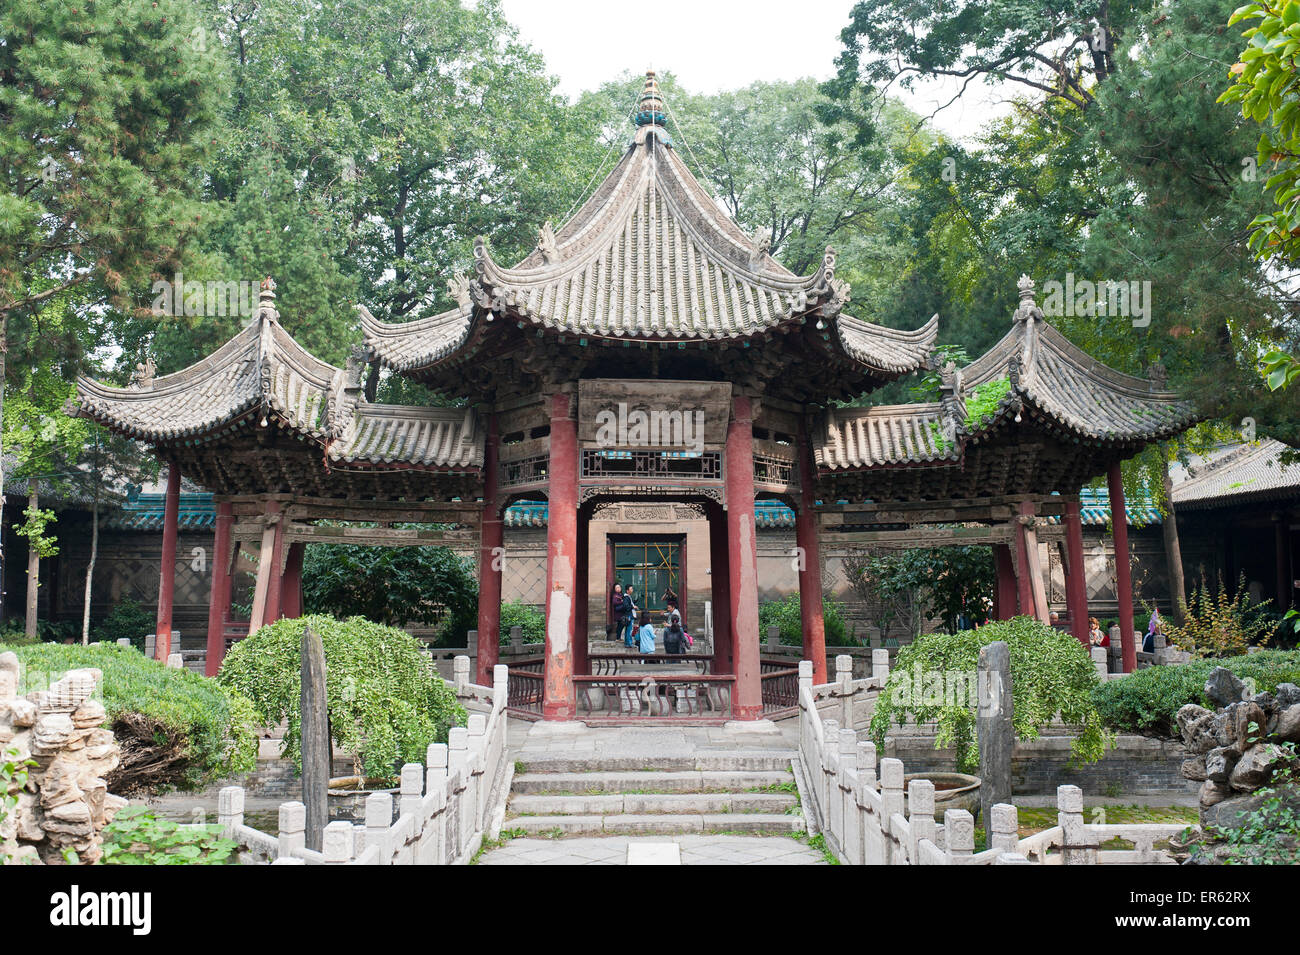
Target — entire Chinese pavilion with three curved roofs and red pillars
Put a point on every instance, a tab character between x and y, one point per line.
647	350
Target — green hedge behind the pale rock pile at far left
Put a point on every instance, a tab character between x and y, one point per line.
176	728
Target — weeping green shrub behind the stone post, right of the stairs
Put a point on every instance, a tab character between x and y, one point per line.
1052	674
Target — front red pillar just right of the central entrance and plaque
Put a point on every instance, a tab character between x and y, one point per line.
743	571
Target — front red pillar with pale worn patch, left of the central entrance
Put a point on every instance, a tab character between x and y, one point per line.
558	701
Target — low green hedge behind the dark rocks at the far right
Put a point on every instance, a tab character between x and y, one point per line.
1146	702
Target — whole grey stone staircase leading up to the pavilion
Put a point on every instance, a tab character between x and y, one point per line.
708	793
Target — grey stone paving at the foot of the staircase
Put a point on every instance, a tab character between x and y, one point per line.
696	850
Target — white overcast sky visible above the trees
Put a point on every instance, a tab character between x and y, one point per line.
712	46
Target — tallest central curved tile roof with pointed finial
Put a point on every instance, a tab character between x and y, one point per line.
652	261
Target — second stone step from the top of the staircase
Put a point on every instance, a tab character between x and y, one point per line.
588	784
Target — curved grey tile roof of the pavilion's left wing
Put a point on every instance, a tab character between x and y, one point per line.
262	414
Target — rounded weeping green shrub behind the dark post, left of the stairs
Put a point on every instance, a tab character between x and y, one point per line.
385	702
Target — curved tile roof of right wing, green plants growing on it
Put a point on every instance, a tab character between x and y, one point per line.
1060	419
